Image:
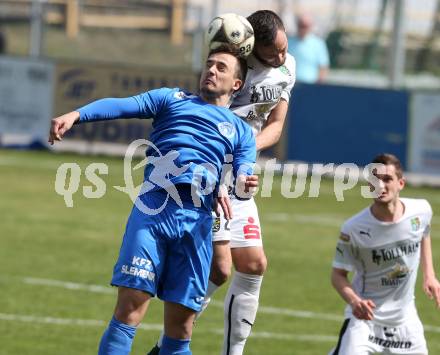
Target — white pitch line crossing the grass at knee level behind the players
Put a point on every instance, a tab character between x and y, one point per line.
264	309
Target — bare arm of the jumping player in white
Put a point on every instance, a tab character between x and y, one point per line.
271	132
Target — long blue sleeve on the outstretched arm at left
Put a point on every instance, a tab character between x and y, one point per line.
146	105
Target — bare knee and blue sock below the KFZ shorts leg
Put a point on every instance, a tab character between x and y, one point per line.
129	311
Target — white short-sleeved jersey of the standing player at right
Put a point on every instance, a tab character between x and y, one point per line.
385	257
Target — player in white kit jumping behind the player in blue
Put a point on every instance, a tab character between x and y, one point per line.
262	102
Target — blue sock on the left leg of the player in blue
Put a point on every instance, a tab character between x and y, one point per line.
117	338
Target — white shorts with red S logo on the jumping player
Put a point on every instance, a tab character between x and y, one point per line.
243	230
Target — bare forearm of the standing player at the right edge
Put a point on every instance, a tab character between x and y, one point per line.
431	285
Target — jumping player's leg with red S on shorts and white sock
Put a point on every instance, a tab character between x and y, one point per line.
241	303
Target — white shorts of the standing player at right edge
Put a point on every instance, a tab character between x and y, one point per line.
359	337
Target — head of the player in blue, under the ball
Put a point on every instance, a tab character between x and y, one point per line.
219	75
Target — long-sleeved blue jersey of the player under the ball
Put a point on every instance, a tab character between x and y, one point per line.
192	137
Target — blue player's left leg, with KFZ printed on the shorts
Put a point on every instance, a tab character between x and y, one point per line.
136	274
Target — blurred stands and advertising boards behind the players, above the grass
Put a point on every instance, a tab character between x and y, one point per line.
379	91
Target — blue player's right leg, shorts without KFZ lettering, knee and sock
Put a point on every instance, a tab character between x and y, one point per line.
185	278
